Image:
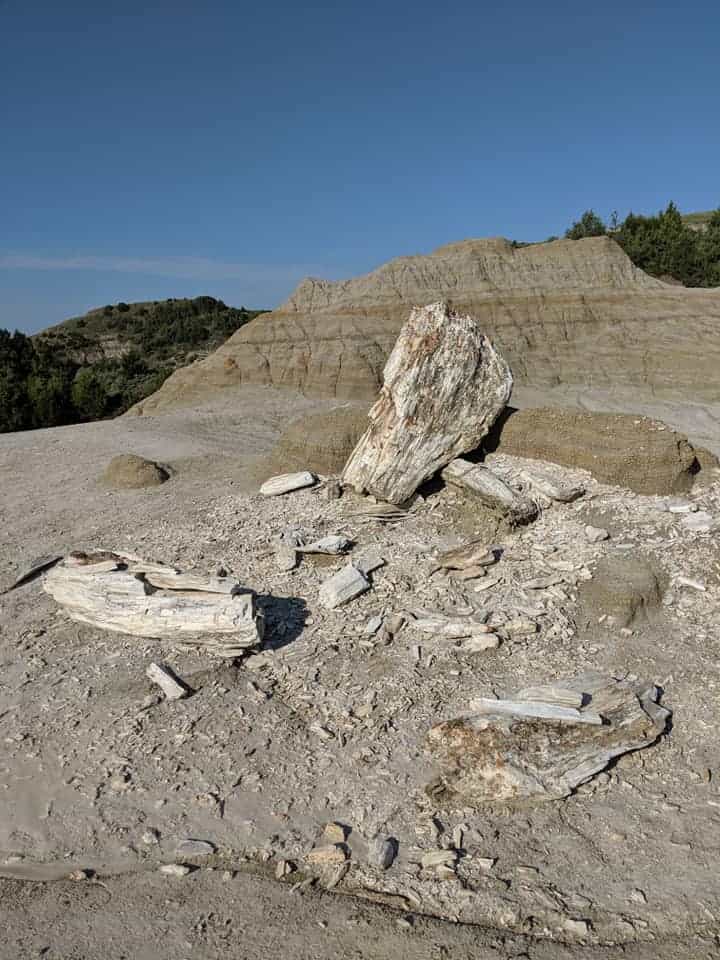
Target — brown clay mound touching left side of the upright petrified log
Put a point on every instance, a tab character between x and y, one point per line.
321	442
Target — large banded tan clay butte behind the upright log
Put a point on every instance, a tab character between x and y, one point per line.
567	312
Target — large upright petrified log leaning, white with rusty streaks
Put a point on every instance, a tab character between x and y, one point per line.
444	386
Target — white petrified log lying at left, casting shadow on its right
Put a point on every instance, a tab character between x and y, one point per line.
126	594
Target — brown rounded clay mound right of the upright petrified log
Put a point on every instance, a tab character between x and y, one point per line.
634	452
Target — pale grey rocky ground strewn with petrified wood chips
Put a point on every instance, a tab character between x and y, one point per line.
327	723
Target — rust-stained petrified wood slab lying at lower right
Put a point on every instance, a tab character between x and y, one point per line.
534	750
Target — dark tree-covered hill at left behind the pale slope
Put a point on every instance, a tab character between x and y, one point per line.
99	364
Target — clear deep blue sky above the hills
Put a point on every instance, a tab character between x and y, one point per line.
171	148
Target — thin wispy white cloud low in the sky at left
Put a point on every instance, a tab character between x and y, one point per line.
184	268
